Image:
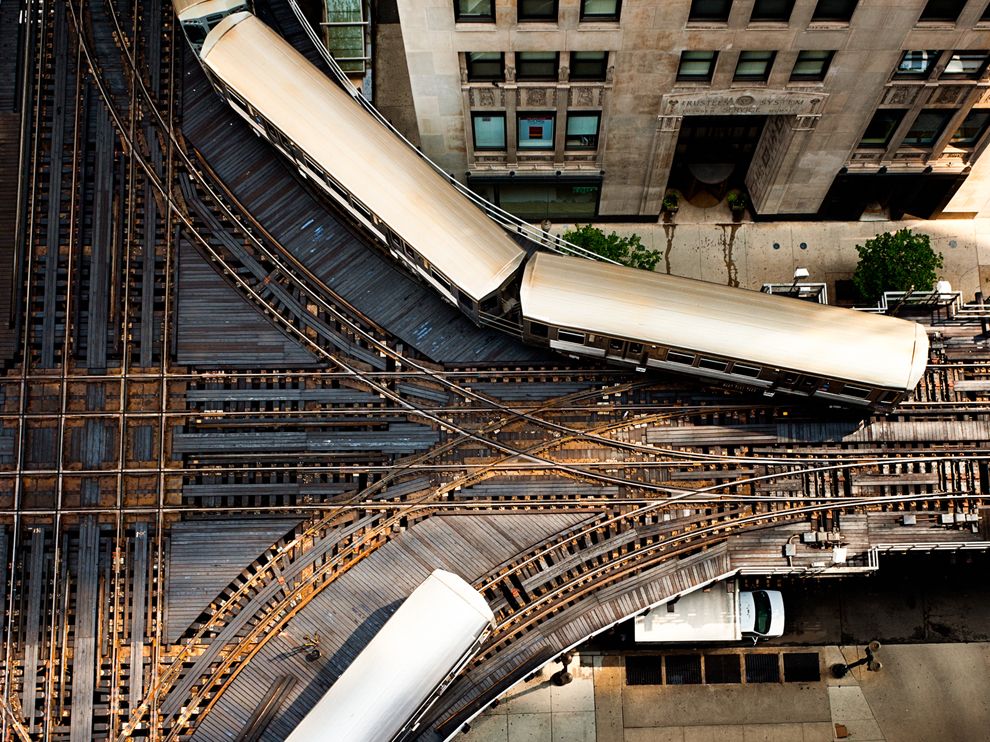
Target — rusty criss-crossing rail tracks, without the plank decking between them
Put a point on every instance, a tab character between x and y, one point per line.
99	454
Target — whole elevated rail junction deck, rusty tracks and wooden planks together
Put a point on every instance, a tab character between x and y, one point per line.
226	423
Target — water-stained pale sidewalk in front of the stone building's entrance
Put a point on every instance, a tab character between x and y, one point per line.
706	244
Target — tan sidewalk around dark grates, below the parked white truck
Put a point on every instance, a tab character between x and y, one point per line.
924	693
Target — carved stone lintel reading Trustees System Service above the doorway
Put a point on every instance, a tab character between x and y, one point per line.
743	100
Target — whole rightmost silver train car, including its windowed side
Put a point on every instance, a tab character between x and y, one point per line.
651	320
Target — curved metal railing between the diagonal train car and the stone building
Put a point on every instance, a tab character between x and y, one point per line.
504	219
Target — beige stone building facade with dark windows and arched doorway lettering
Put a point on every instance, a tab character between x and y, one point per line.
596	107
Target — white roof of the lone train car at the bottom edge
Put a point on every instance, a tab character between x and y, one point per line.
411	654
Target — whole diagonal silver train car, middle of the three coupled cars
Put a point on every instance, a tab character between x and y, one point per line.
393	193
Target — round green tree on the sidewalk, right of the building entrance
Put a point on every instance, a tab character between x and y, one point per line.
902	261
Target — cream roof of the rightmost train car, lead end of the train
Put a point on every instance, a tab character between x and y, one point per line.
708	318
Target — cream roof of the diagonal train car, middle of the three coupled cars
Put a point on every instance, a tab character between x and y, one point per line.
367	159
